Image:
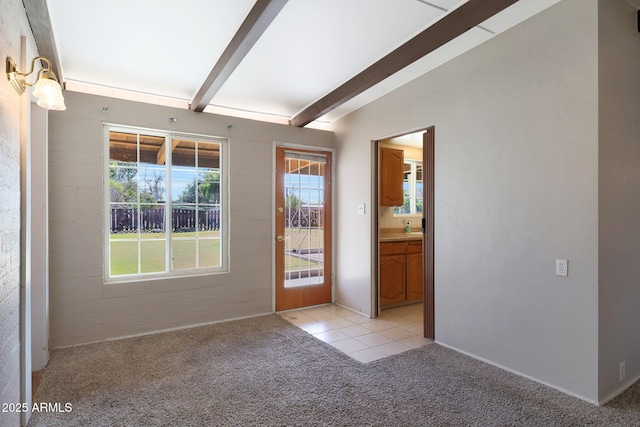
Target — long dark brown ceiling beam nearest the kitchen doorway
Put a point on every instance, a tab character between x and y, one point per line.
452	25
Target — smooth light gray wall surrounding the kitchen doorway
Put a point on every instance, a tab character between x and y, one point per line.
516	186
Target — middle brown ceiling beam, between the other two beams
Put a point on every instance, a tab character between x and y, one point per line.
259	18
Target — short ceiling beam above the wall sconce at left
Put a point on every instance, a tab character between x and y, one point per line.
38	16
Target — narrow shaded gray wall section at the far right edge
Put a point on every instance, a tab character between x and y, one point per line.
619	204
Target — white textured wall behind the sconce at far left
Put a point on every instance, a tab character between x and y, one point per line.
13	26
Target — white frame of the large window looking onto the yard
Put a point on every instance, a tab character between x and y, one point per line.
224	206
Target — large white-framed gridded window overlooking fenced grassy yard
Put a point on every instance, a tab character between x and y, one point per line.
166	204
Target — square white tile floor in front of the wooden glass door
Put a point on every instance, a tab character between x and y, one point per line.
395	331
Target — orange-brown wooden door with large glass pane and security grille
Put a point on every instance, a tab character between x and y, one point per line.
303	228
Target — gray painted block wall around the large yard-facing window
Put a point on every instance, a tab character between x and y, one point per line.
83	308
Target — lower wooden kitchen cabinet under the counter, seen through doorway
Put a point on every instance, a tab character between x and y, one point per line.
401	272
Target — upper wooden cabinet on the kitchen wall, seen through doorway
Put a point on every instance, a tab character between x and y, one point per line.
391	176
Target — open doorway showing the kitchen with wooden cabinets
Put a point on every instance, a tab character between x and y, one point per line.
404	216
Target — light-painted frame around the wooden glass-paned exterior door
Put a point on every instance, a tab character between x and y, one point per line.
275	145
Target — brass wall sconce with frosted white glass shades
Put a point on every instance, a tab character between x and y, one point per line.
46	87
